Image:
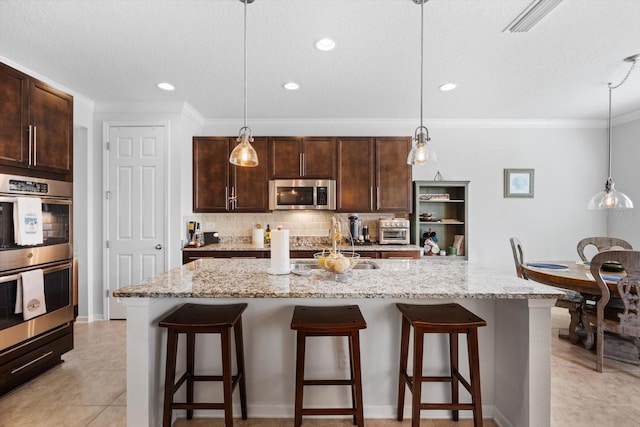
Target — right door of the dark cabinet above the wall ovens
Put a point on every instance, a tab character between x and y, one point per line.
51	115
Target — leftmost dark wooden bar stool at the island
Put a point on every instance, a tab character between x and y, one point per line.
191	319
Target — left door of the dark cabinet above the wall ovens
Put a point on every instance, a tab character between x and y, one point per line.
13	117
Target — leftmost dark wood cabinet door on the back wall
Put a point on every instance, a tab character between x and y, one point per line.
210	174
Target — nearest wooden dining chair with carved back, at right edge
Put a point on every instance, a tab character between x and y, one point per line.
605	318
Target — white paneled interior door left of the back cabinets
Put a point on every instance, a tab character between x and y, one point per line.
136	208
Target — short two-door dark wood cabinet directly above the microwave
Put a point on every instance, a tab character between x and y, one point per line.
302	157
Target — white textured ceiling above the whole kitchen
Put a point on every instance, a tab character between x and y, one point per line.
117	50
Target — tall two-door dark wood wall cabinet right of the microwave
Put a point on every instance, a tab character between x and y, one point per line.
373	175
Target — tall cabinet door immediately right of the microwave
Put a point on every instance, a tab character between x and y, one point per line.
354	185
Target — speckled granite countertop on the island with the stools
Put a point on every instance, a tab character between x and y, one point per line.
248	278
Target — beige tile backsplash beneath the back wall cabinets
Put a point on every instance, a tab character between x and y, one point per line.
302	225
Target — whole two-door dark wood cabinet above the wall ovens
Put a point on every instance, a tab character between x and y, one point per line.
36	126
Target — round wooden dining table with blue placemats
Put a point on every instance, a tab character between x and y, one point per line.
575	276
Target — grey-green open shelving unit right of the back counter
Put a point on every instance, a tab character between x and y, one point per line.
449	216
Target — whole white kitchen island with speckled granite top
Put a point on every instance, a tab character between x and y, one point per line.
514	347
